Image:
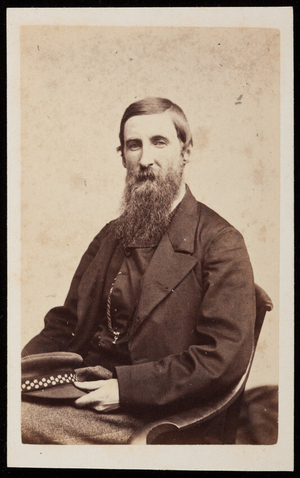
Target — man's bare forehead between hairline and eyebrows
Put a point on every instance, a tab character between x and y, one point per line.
150	125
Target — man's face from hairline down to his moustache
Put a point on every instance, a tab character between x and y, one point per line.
151	146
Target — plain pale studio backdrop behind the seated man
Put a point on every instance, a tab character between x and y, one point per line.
75	85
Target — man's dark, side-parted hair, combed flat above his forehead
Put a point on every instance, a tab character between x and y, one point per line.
154	105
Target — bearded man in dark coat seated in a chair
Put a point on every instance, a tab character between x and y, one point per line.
163	297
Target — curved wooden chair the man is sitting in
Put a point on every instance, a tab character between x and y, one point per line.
216	423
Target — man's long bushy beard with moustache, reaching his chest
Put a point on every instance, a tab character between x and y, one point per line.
146	205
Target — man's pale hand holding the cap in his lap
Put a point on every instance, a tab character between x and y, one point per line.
104	396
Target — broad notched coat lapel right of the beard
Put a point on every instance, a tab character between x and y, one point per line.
173	258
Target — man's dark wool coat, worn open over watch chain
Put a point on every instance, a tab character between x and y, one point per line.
192	333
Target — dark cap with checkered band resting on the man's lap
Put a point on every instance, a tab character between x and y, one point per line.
51	375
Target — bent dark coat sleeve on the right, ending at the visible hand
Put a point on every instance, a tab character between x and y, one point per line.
225	327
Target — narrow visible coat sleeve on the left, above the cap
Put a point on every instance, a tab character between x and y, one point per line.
60	322
